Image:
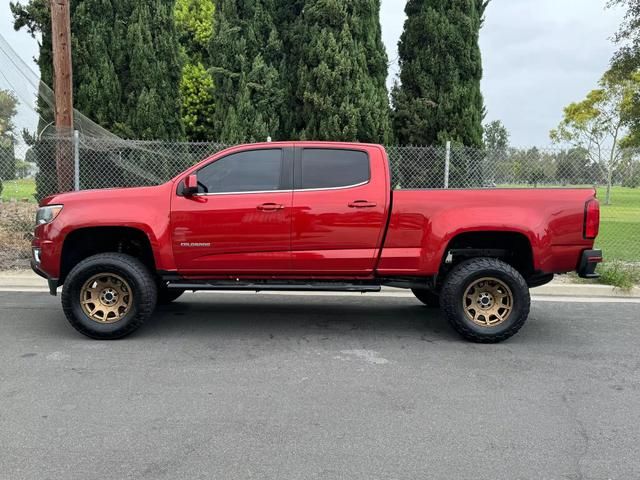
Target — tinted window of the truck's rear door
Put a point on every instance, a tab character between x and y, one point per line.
323	168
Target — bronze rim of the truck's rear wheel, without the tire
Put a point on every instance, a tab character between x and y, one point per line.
488	302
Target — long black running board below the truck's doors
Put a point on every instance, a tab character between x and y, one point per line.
282	287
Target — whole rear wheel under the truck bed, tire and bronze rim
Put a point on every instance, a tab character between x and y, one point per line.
485	300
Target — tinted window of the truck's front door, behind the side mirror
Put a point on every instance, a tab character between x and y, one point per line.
250	171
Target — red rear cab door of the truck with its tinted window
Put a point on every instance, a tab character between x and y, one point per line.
340	206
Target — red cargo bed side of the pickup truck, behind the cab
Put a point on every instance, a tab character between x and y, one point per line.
424	222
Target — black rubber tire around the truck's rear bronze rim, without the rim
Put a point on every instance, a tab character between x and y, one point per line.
462	277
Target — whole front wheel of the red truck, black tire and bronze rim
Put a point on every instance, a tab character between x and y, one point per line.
108	296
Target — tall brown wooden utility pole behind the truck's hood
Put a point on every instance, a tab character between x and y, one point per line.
63	91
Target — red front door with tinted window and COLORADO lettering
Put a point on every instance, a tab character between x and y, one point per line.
240	221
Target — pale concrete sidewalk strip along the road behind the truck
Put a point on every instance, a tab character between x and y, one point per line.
27	281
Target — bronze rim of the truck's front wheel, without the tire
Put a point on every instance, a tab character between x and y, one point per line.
106	298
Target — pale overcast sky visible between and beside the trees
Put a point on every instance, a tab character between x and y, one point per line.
538	56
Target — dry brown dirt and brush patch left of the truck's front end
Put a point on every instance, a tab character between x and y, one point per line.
16	225
